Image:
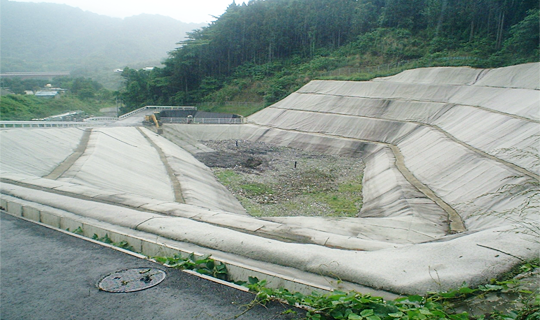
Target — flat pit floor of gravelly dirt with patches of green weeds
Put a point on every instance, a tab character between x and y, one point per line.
277	181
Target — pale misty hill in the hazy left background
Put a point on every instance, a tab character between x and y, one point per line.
56	37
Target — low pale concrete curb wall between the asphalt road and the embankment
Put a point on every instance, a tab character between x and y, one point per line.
149	245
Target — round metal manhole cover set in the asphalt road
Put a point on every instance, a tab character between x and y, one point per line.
131	280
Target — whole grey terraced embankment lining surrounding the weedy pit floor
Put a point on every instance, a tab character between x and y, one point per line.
439	144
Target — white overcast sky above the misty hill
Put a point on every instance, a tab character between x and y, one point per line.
183	10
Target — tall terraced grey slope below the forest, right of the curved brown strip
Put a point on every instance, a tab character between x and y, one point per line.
463	153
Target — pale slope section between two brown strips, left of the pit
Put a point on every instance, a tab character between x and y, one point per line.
121	160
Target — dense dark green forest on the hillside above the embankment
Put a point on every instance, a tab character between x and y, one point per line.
265	49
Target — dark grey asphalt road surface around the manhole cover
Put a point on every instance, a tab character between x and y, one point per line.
46	274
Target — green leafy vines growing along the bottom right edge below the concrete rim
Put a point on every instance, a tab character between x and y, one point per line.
436	305
